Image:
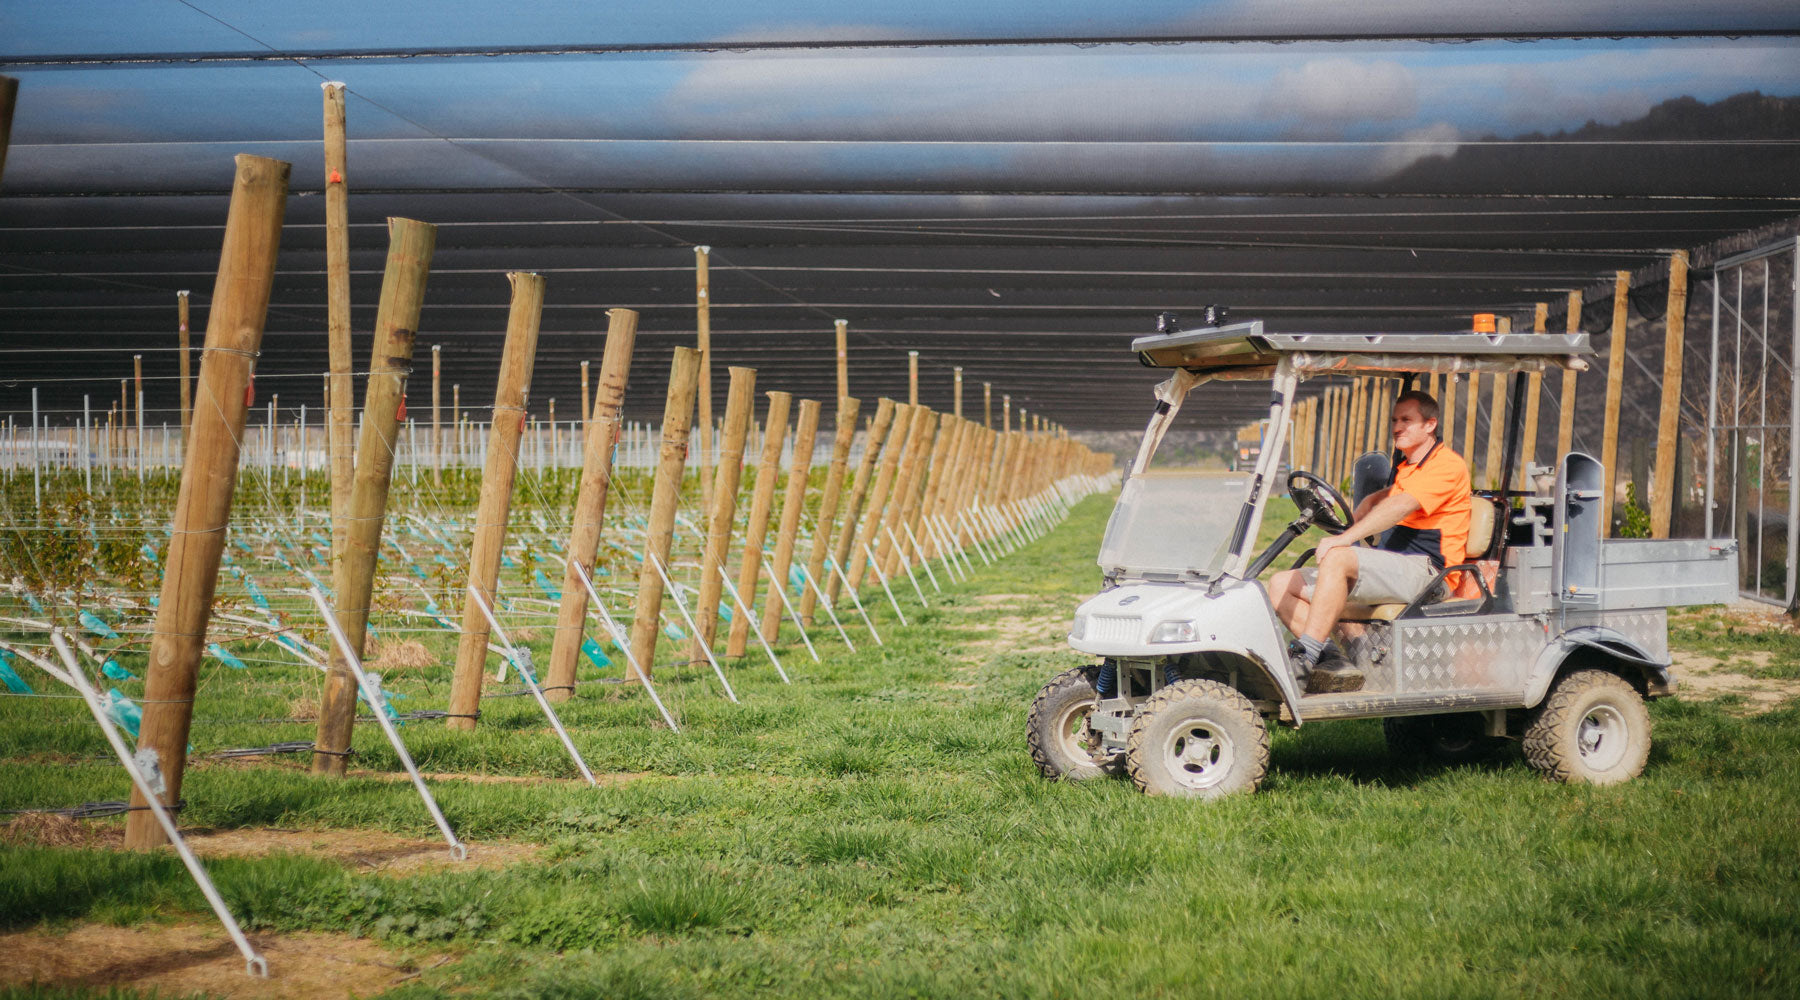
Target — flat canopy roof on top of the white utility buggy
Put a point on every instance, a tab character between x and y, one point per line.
1245	352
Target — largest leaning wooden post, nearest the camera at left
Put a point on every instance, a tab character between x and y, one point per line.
210	474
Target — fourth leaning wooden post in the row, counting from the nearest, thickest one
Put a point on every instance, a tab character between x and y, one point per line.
591	501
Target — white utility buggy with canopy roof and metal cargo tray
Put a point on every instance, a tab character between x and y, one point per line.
1560	652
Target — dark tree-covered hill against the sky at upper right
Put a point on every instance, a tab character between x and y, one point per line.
1642	170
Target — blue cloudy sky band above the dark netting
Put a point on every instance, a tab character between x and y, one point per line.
1212	114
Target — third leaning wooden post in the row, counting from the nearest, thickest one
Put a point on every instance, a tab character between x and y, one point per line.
492	512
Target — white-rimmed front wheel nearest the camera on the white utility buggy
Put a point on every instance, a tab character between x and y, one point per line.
1198	740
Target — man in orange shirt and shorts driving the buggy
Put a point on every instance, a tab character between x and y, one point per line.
1426	506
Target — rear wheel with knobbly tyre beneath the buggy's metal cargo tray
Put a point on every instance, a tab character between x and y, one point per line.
1590	729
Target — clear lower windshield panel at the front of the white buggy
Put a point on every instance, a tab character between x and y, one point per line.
1173	524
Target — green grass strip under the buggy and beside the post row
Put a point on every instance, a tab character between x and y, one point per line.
877	830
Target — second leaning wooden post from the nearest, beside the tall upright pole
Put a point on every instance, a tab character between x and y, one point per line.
397	323
